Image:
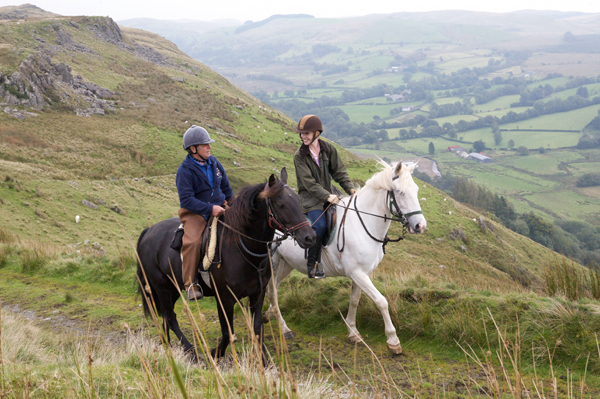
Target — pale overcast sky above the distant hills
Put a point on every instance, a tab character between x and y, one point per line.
256	10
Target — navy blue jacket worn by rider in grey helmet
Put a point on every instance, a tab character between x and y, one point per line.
195	193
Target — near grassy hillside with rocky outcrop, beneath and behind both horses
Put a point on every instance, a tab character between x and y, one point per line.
79	277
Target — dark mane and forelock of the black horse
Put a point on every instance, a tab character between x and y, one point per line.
240	214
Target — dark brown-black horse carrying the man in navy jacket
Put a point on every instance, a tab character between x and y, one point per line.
244	271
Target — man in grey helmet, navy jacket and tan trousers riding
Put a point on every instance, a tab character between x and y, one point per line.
204	190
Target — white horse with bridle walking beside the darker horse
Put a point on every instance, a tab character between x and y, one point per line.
363	244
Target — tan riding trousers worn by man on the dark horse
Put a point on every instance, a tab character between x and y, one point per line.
194	226
